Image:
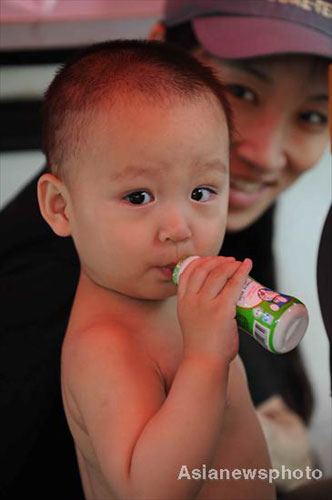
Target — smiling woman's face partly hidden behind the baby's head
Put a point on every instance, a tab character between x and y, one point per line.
280	110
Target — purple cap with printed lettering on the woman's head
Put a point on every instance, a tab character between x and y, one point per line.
249	28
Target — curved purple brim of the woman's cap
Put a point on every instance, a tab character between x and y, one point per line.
236	37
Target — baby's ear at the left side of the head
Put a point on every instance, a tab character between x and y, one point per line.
53	203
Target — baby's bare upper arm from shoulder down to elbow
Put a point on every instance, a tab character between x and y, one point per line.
111	388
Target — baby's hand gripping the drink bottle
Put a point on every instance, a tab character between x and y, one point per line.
207	294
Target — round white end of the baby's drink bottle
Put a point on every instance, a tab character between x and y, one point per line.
290	328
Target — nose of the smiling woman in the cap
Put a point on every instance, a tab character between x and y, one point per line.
263	148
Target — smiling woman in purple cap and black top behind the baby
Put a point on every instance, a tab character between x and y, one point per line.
37	266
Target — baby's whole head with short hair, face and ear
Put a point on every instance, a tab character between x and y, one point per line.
137	138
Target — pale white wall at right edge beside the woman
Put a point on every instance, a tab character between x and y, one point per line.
300	219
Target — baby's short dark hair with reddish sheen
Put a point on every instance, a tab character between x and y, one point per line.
157	71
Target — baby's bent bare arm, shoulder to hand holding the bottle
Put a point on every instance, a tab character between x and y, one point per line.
141	436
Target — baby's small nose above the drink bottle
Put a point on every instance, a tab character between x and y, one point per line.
174	227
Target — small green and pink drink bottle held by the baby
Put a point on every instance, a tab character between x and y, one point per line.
275	320
